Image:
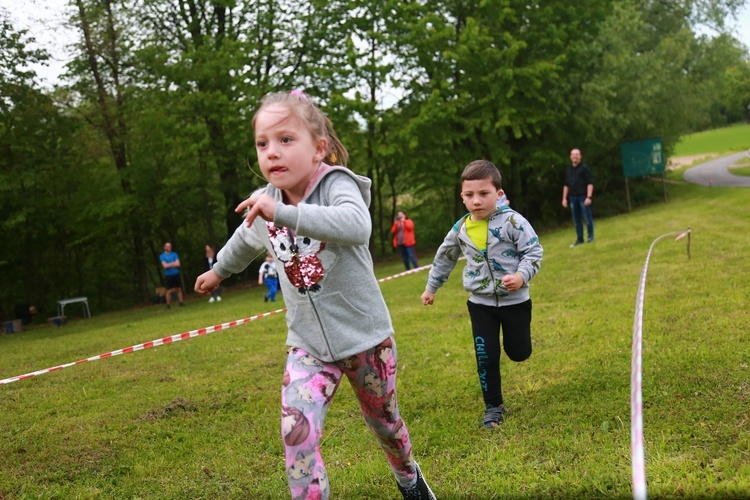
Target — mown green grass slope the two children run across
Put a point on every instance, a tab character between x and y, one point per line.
200	418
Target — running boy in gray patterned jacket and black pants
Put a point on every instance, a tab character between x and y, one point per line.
502	254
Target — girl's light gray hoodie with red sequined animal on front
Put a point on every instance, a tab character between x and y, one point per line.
335	308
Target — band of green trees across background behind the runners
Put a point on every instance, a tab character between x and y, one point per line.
149	136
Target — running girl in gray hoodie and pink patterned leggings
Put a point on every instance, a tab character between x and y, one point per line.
313	217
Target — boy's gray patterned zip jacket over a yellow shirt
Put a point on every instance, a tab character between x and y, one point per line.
512	247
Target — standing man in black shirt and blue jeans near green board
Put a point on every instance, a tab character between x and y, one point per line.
579	185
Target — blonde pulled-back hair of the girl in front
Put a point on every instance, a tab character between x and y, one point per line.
319	125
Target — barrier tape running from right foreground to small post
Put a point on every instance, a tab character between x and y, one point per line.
636	378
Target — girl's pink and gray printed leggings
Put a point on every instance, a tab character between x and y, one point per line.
307	390
